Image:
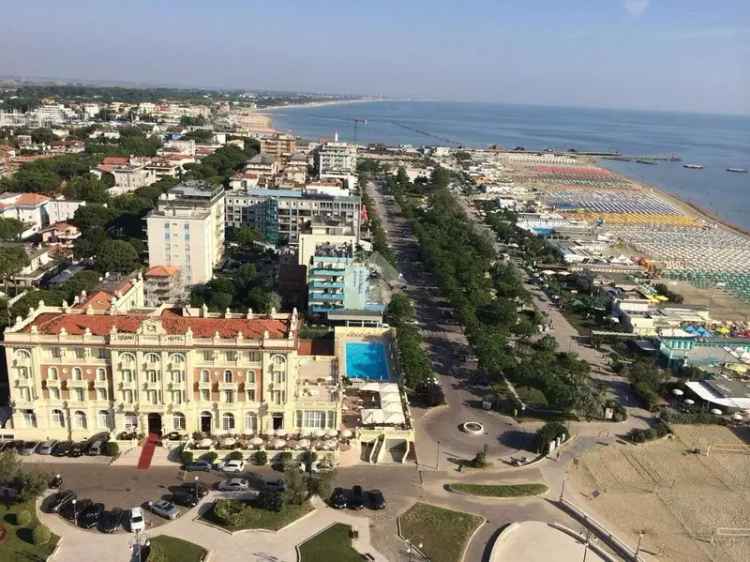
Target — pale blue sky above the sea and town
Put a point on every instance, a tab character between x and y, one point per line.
683	55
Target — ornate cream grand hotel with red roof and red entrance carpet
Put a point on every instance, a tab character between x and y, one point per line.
74	372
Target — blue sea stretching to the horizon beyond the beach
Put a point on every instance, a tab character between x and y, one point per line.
717	142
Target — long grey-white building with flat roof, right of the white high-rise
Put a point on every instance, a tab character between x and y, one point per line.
282	214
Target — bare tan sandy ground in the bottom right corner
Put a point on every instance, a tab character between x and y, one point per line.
679	499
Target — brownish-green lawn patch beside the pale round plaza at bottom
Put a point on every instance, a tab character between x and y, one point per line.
442	532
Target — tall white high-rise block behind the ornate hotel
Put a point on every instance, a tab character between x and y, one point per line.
186	230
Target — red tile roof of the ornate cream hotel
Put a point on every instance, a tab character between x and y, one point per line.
172	321
